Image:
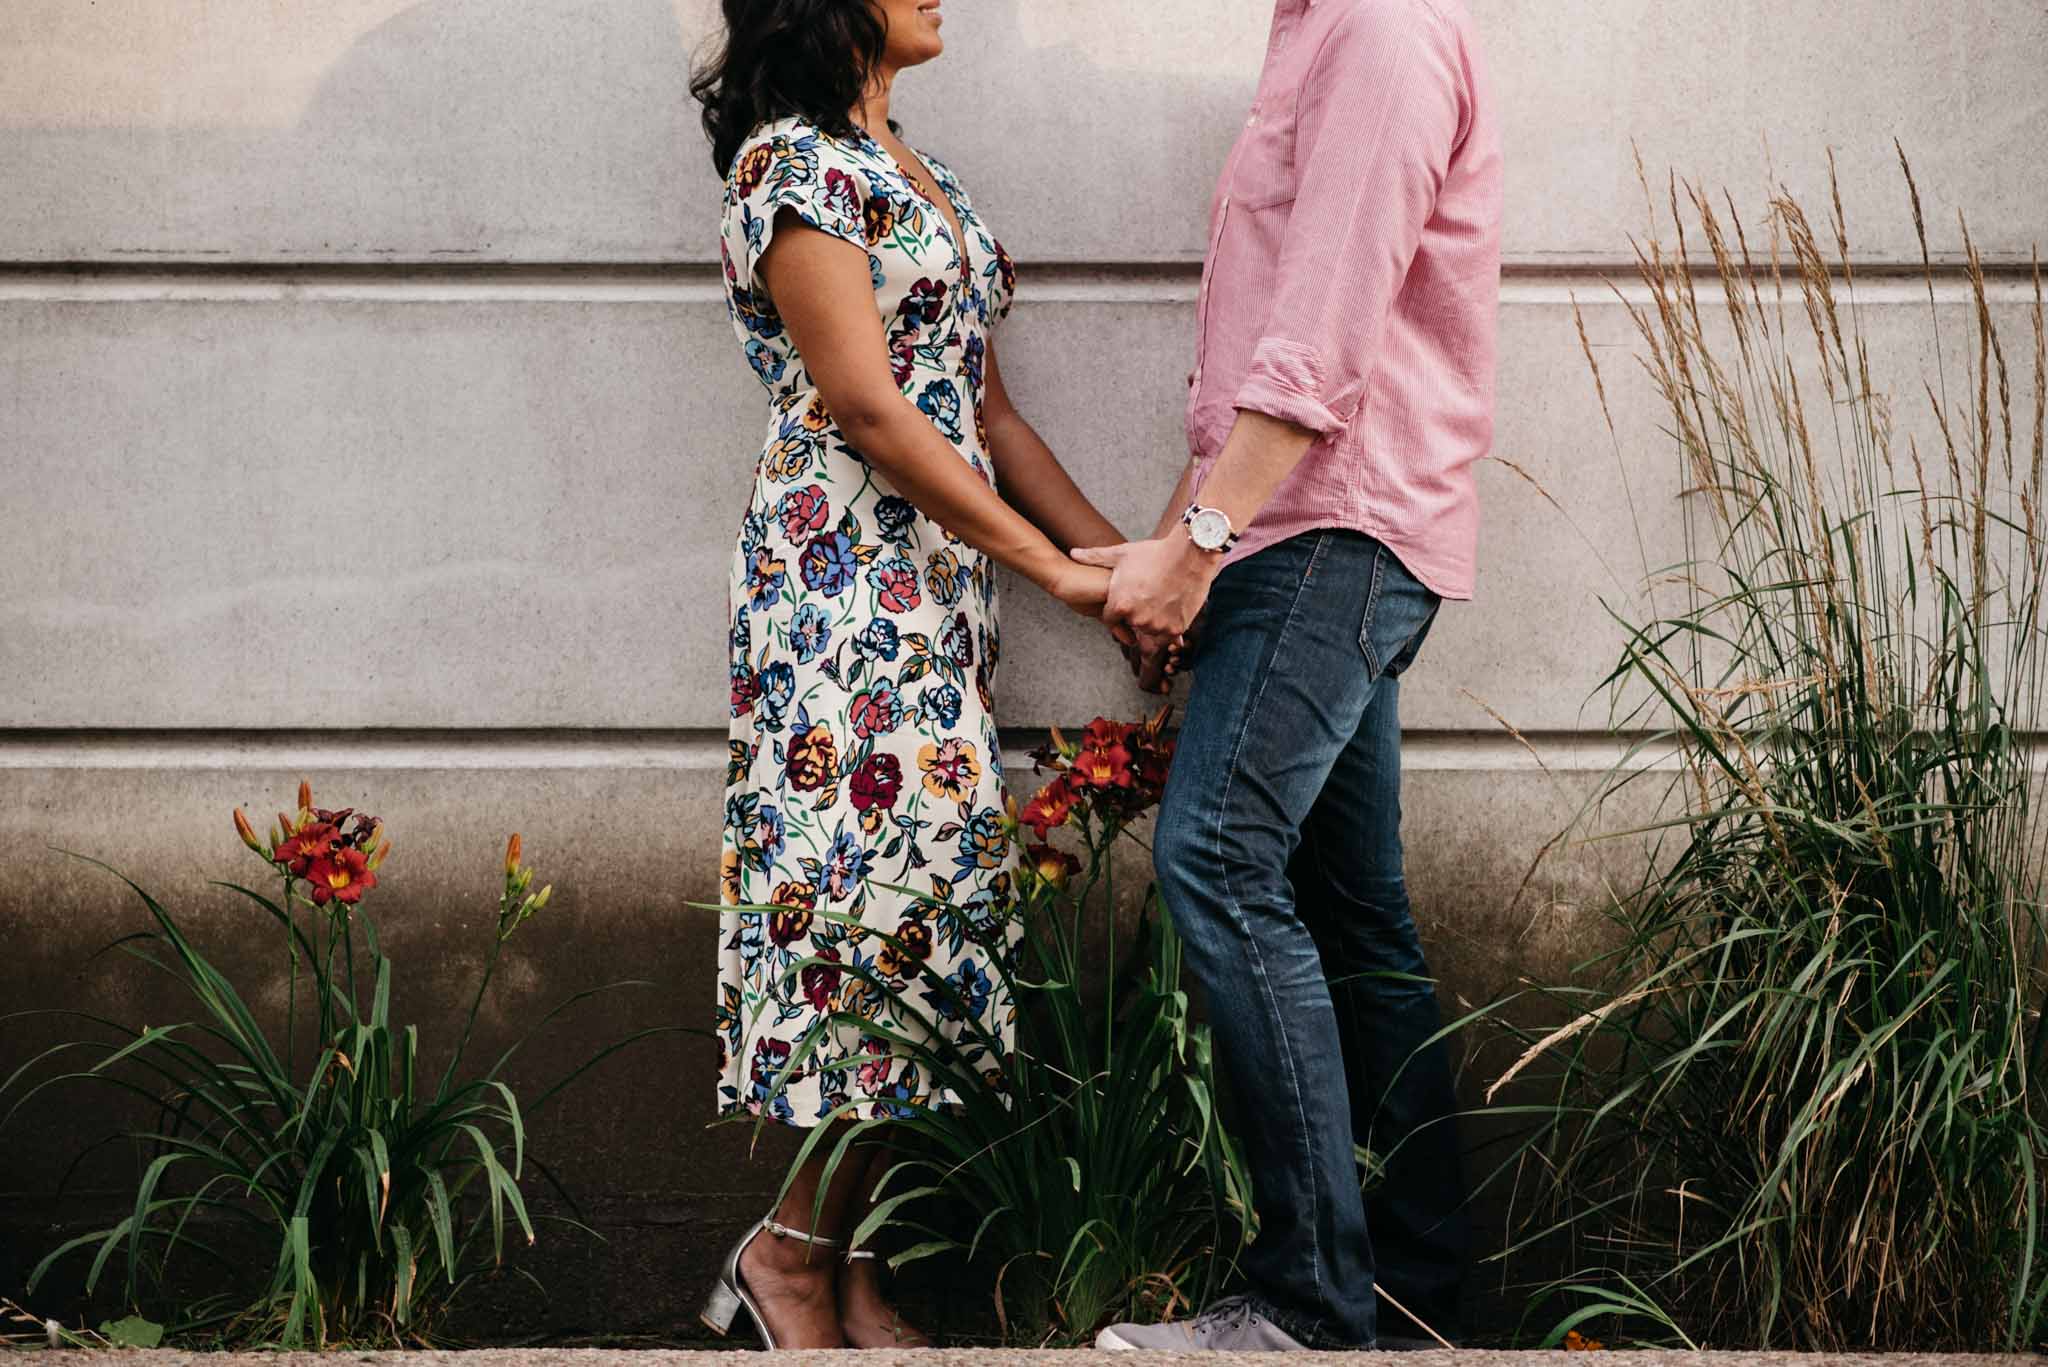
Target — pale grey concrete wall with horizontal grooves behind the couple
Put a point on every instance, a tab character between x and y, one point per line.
370	415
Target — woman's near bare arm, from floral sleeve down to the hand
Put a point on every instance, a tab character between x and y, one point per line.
826	298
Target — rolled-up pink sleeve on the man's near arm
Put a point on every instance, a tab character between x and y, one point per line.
1379	118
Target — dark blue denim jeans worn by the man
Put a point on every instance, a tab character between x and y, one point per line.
1279	852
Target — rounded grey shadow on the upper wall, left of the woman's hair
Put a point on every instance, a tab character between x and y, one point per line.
564	128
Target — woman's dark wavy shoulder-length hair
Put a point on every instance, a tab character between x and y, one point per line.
781	58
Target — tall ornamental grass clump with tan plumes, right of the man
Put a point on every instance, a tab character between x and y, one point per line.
1801	1100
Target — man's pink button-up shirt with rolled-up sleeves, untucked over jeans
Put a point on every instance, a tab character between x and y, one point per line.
1353	278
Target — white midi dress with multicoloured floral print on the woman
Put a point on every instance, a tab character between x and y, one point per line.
863	661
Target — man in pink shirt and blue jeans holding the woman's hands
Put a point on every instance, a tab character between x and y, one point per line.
1340	397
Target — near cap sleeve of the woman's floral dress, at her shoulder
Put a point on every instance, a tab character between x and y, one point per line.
790	167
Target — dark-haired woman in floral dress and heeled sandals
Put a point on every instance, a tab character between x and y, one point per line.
863	614
